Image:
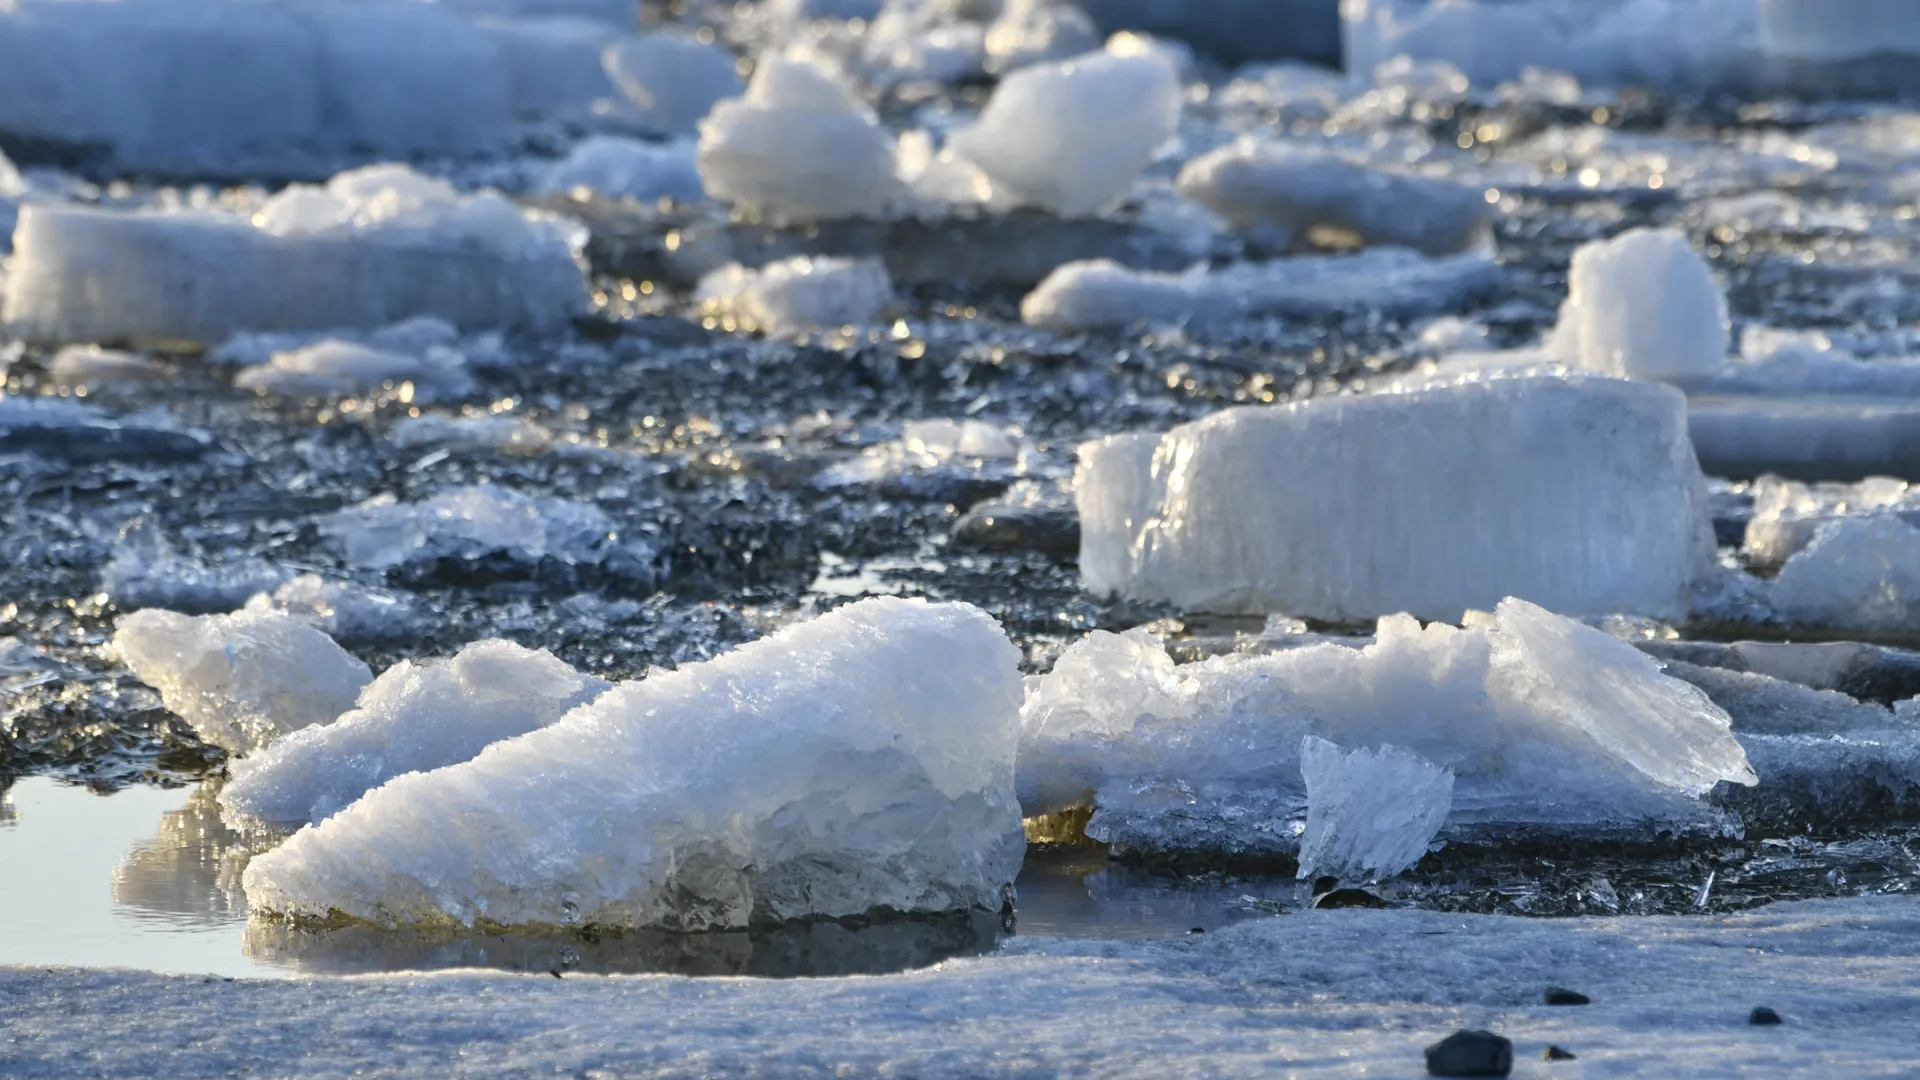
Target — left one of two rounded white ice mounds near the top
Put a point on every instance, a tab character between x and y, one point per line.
800	147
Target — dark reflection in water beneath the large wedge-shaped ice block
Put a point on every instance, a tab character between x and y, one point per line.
782	952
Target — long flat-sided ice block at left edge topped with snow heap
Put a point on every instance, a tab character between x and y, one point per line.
375	247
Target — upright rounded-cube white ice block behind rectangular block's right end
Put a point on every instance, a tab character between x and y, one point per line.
1643	307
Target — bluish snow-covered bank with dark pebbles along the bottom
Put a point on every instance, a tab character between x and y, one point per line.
1310	994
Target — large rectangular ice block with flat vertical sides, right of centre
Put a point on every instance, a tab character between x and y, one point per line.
1581	495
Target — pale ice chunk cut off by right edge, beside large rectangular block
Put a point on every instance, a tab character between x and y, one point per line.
1860	574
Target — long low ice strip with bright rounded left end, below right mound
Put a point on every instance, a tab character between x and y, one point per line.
1105	297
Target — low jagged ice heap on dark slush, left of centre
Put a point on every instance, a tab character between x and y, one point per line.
471	524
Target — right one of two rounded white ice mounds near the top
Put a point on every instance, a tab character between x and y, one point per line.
1068	137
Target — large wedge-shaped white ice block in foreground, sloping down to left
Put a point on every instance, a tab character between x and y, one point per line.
857	762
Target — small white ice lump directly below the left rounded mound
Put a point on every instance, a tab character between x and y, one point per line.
800	295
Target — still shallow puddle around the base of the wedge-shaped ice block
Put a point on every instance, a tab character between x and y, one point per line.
151	879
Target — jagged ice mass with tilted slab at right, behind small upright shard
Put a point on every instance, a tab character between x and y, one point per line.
1547	725
